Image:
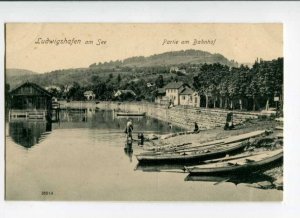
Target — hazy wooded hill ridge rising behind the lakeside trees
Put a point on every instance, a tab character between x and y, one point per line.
147	68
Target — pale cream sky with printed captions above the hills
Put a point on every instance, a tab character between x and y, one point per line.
25	48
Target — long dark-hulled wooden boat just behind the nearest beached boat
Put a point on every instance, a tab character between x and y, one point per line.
191	157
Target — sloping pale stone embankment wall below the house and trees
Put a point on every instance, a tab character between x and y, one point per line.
179	116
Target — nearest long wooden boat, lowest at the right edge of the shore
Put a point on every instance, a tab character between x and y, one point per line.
254	163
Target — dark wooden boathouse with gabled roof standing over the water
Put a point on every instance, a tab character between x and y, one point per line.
30	101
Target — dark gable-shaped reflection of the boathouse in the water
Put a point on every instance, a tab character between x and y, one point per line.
28	133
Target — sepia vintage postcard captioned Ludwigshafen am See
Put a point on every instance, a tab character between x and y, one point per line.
144	112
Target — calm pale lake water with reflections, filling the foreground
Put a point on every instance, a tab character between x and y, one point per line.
82	157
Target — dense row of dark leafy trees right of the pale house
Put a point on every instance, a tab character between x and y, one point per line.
241	87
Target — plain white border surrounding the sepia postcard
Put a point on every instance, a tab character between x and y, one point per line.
195	12
